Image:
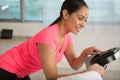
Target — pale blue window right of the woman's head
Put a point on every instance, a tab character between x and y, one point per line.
104	11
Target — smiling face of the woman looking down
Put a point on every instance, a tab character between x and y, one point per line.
76	21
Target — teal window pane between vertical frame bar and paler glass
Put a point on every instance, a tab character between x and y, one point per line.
33	10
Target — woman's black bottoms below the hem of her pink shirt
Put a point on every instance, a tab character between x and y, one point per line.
5	75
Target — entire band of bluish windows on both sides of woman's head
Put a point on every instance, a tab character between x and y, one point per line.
46	11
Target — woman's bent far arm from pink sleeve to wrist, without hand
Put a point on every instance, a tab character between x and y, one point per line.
74	61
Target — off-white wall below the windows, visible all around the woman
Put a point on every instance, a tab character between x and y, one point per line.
102	36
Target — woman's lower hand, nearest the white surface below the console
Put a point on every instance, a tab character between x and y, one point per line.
98	68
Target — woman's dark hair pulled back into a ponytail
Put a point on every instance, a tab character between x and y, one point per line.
71	6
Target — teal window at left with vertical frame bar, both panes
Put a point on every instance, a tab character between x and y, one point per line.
21	10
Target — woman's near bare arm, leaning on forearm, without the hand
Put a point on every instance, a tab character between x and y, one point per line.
49	65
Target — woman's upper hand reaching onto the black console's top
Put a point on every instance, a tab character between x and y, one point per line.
91	50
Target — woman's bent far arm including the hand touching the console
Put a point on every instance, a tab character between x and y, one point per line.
77	62
